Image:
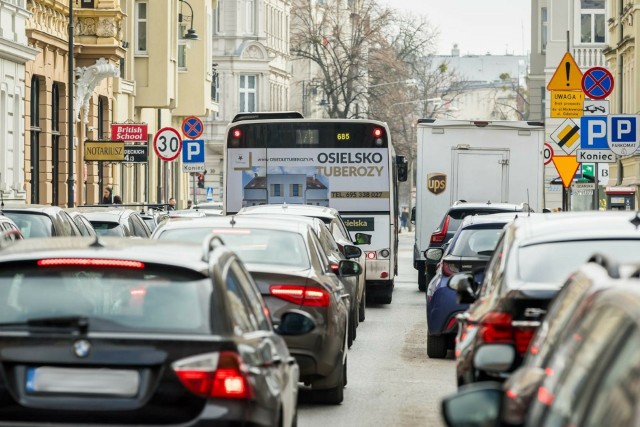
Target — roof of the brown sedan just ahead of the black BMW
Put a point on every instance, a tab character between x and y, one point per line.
248	221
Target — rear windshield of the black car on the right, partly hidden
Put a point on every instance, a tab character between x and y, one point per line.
553	262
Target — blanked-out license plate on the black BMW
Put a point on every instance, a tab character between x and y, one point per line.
113	382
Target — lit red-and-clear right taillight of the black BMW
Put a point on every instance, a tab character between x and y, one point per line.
216	375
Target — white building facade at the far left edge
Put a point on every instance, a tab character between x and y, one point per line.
14	53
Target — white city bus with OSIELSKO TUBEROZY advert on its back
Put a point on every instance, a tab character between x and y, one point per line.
346	164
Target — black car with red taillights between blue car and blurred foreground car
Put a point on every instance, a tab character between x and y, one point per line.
531	262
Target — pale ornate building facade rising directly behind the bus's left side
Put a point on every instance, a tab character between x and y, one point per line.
251	72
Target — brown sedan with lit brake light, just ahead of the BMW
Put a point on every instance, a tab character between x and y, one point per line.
291	269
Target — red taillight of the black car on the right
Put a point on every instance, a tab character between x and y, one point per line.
497	327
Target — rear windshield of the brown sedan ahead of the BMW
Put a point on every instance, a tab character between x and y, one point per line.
256	246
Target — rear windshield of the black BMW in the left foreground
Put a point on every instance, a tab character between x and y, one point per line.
114	298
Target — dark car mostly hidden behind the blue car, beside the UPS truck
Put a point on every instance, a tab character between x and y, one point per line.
450	224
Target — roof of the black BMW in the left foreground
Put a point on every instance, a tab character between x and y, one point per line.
144	250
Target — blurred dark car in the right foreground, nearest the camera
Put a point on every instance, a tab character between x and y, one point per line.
592	375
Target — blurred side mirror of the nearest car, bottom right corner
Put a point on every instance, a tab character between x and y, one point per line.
474	405
